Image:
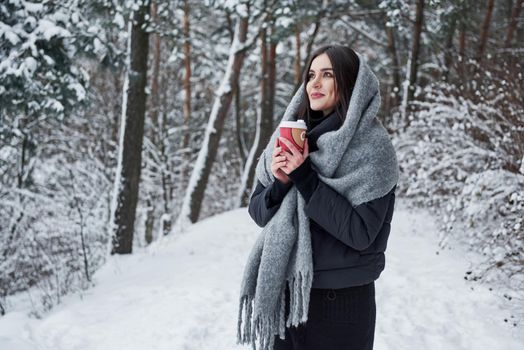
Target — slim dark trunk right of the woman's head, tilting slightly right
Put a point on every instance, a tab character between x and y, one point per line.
413	61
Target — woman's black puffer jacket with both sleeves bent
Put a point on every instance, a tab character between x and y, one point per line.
348	242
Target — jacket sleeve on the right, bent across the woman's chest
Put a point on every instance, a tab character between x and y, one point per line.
357	226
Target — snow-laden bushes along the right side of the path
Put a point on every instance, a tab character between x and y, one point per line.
461	156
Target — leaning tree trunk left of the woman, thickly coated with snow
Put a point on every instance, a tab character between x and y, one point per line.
197	184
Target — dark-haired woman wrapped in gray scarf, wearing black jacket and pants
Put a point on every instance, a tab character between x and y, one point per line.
326	213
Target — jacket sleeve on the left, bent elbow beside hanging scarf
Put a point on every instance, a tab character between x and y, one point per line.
265	201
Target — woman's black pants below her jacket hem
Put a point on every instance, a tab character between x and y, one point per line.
338	319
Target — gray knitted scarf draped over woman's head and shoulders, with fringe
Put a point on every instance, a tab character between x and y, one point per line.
359	162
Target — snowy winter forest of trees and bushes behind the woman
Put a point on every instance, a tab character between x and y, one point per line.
123	123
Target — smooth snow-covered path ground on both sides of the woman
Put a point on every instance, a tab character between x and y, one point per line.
181	293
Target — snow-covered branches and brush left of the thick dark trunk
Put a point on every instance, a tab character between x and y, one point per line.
52	240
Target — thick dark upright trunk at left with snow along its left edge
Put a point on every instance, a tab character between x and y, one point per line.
131	134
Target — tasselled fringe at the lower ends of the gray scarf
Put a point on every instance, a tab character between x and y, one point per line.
264	328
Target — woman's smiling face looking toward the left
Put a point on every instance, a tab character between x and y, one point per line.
321	87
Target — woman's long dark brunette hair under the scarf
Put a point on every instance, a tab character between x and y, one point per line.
345	64
